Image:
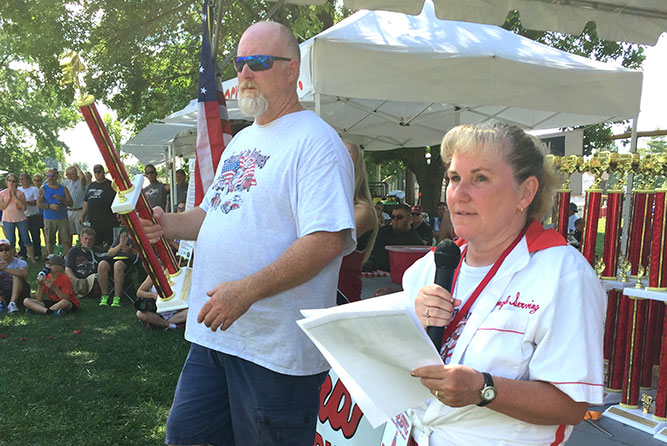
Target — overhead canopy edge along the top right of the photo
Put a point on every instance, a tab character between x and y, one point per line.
636	21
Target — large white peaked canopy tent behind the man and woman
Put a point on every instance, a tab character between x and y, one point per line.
388	80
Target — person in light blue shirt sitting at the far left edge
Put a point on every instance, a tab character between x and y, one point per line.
13	273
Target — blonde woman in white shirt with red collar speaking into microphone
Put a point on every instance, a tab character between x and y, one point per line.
524	323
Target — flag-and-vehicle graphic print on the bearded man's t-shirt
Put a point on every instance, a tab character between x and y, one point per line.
236	175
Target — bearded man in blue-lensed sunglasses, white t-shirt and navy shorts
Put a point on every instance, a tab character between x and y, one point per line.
271	232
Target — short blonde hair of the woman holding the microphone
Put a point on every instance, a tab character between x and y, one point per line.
523	152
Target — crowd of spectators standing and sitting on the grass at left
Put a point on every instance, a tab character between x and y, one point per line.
98	265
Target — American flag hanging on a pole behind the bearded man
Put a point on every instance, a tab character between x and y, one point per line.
213	129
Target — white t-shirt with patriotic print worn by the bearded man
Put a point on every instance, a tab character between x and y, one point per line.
274	184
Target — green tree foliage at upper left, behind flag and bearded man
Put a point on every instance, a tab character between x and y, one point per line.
142	61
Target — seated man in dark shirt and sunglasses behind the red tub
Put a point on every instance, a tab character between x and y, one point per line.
398	232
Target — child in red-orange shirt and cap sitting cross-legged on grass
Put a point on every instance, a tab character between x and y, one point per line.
55	295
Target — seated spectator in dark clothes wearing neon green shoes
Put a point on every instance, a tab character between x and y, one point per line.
125	256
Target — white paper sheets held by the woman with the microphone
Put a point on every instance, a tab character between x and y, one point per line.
373	345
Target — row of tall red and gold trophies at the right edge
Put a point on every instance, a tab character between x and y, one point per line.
634	325
